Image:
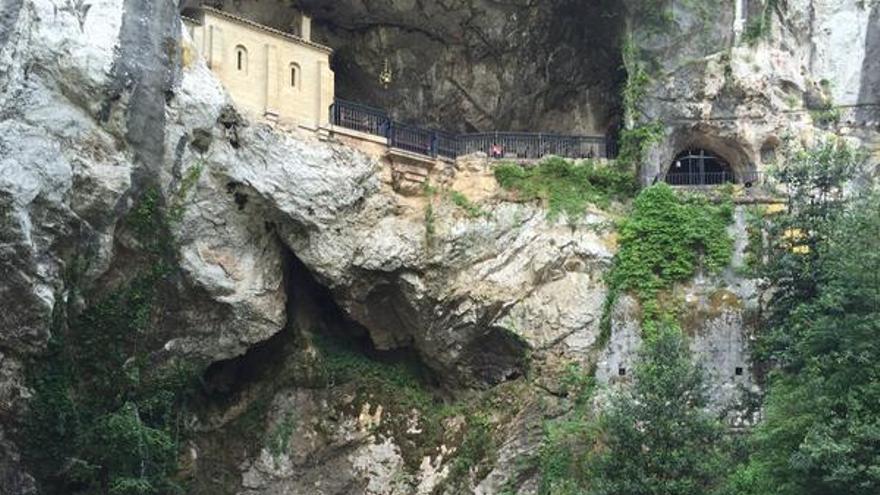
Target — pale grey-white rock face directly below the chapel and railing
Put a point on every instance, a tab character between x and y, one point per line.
82	140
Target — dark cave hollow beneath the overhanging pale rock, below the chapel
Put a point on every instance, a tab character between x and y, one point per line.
237	397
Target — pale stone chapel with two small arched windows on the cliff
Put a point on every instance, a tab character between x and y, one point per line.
269	73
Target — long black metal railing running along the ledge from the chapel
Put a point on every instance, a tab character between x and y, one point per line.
434	143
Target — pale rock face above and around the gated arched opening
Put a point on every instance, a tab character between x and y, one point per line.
811	72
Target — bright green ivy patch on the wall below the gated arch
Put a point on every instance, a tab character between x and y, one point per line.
664	240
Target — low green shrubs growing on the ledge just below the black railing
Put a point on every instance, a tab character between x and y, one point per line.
566	187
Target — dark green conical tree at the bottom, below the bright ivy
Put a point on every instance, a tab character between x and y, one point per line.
656	437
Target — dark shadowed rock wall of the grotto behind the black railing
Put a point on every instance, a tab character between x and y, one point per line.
458	64
